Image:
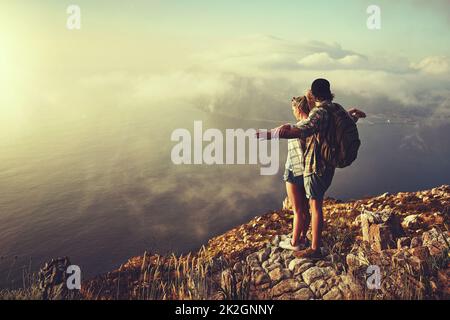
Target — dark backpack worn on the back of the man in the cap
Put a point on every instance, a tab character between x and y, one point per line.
341	143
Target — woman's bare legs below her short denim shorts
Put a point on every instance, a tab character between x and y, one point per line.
297	198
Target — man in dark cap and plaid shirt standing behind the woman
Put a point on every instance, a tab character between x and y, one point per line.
318	174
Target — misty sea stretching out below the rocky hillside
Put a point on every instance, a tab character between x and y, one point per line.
100	187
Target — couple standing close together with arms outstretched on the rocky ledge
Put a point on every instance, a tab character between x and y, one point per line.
308	176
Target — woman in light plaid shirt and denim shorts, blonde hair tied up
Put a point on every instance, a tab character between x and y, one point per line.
295	188
